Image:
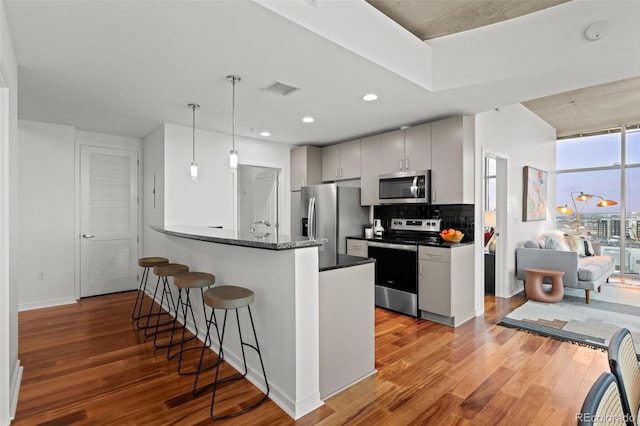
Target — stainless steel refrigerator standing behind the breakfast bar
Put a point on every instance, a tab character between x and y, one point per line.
332	212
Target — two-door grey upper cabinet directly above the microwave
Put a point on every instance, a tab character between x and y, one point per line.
408	149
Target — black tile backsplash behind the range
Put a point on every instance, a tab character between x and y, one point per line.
457	216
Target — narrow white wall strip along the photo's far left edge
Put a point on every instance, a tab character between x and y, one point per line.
10	370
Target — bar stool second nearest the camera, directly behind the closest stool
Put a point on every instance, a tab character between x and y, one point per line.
186	282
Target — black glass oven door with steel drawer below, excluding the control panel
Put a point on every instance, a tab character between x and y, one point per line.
396	276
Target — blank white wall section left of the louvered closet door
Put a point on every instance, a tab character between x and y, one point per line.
46	214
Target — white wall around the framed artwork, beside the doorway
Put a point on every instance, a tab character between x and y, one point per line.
521	136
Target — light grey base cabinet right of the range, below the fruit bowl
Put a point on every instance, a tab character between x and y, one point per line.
445	284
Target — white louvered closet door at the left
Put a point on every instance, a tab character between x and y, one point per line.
108	223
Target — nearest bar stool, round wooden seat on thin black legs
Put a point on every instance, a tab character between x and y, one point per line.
231	297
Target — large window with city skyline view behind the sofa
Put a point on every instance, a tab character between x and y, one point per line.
605	167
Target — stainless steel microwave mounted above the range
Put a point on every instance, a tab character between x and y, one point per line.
405	187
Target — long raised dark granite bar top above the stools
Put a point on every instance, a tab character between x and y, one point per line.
238	238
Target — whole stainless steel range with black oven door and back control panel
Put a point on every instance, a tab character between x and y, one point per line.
397	263
